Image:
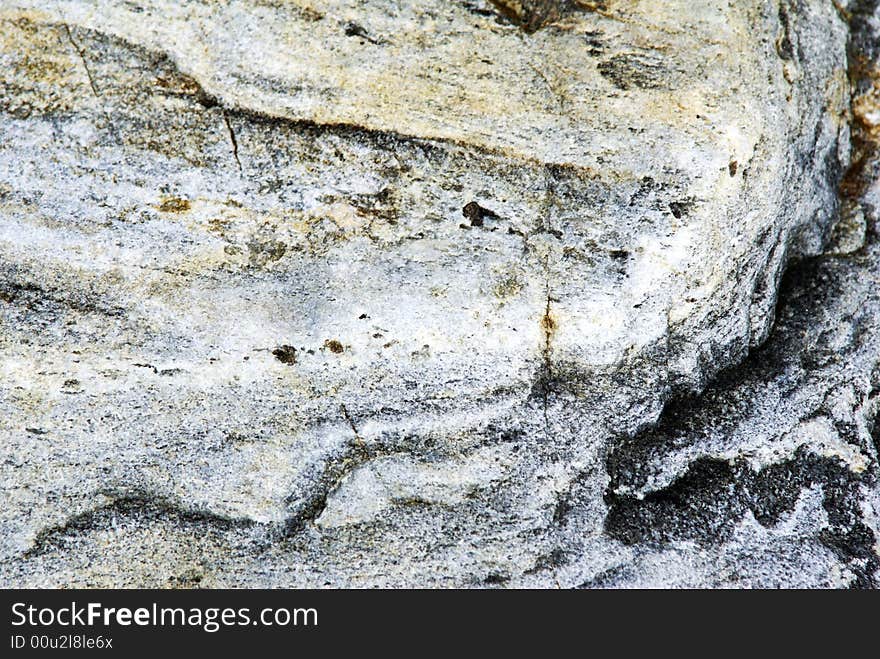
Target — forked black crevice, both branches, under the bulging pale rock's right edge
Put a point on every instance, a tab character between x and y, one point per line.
707	501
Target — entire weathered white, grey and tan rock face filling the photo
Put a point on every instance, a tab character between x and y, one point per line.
359	293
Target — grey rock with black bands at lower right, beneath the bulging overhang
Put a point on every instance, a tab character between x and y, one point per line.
773	470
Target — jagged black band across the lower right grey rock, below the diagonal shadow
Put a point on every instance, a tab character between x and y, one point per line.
707	502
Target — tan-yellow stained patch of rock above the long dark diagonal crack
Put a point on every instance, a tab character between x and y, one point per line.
487	102
